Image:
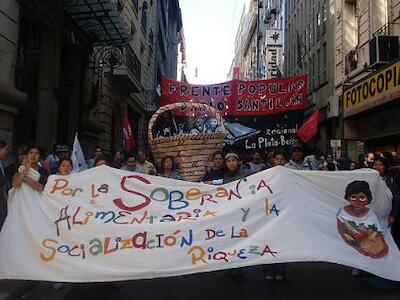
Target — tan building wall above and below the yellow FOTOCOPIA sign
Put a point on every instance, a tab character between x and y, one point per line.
356	24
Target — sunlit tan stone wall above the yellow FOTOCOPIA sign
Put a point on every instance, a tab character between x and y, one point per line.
357	22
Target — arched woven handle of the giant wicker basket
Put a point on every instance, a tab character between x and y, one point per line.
172	106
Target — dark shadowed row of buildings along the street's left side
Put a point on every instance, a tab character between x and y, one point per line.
81	66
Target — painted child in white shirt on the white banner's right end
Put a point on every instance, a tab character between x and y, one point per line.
358	225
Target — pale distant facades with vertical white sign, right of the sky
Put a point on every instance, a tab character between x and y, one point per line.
255	56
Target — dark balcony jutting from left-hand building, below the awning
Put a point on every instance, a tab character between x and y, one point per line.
128	75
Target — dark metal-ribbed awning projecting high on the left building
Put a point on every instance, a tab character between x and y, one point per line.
100	19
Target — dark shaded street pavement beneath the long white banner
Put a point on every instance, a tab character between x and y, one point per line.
305	281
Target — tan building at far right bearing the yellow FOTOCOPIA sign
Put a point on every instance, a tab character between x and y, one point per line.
366	65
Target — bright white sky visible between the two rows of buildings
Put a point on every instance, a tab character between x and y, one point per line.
210	28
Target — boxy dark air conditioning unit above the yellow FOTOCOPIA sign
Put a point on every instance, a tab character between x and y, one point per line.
383	49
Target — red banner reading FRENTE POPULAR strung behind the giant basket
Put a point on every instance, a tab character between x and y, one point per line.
241	98
